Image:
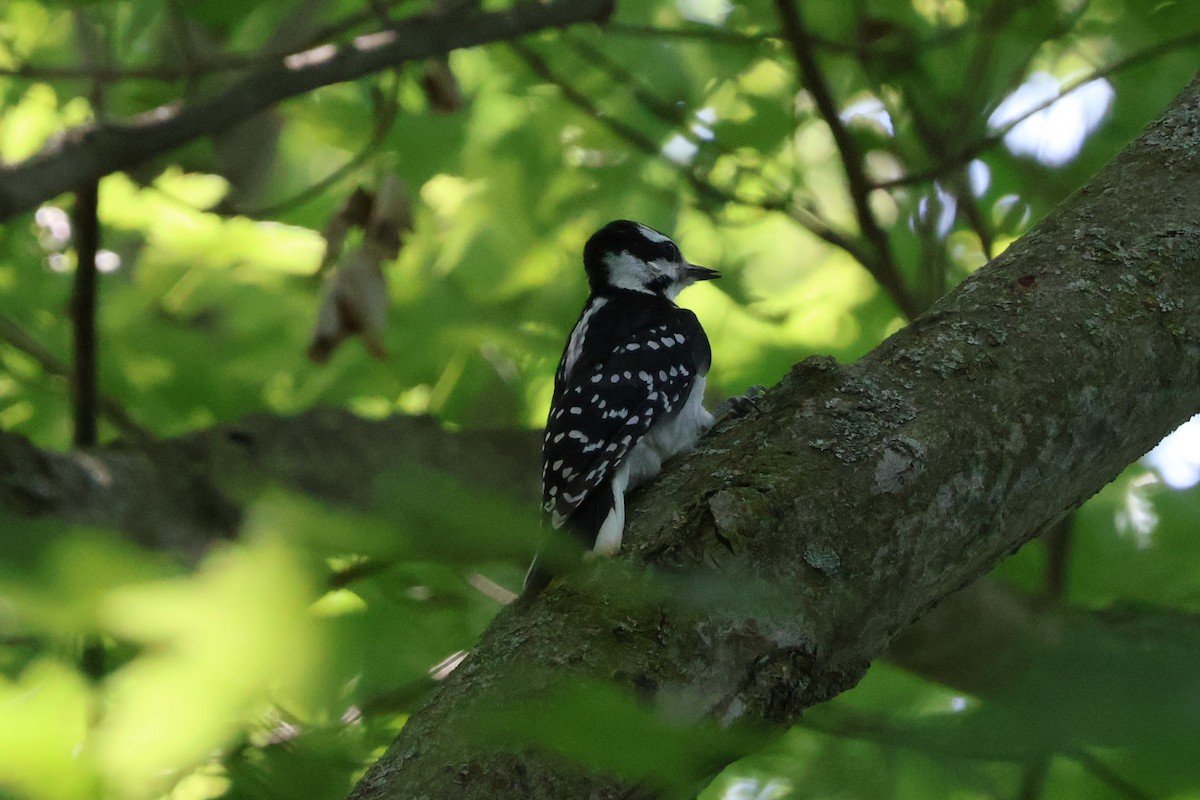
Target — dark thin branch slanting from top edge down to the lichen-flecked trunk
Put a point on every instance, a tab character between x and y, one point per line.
883	267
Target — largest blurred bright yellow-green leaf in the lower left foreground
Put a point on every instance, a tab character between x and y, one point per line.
220	649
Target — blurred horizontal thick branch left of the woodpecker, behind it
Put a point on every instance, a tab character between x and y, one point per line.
184	495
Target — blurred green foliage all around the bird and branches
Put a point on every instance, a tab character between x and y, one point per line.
281	664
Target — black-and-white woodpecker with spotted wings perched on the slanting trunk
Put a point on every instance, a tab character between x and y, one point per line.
629	389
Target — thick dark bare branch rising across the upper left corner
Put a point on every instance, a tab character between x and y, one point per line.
92	153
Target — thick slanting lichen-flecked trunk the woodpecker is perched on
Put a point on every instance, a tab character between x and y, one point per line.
797	543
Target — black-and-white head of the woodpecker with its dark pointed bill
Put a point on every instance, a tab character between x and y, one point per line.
627	255
